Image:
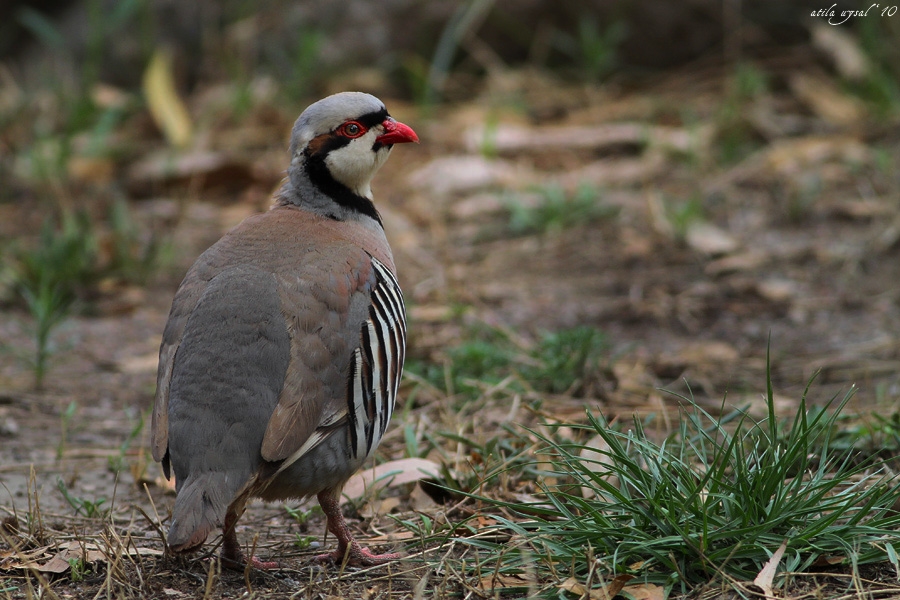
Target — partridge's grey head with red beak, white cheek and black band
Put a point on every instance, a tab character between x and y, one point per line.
339	143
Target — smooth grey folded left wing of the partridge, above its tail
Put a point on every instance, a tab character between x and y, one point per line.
228	372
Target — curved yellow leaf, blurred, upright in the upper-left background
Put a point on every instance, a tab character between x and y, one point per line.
166	107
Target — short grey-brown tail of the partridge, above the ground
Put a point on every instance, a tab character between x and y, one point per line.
199	508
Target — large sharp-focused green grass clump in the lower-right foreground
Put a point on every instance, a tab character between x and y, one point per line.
715	500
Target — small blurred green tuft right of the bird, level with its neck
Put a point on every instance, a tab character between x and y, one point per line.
558	210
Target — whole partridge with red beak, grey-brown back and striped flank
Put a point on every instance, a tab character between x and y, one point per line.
281	359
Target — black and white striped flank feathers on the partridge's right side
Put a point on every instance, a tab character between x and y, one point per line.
377	364
